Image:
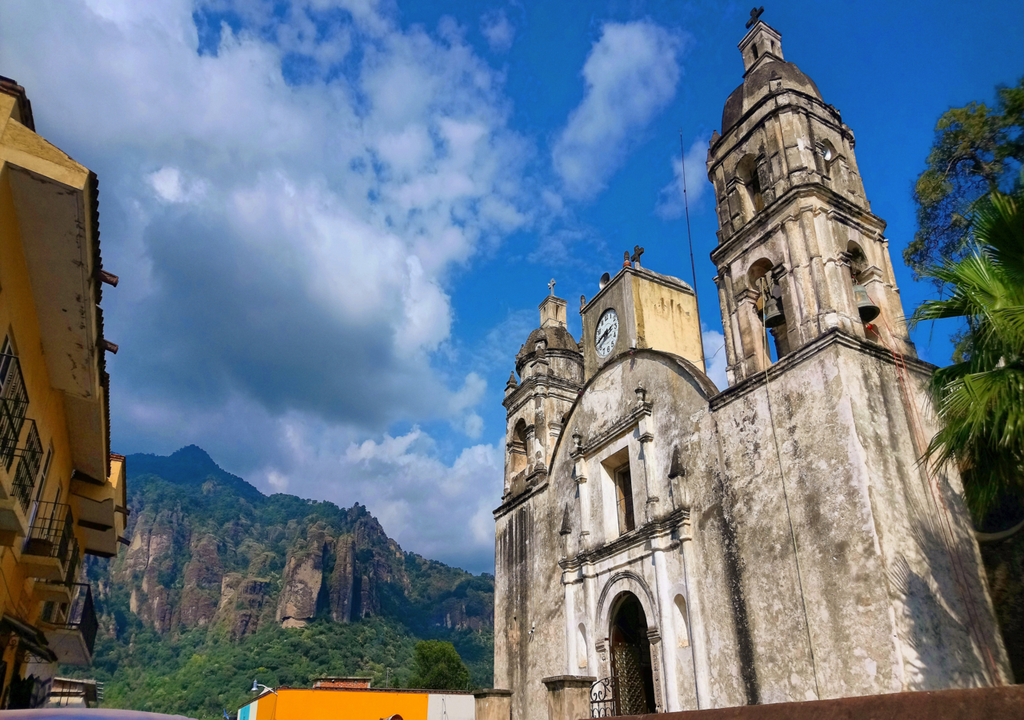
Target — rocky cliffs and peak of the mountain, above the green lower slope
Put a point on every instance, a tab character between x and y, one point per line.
207	549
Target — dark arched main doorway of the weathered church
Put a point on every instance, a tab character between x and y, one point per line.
631	663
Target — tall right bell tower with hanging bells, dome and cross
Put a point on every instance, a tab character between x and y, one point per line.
799	249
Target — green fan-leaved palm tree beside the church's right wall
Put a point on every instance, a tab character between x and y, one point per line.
982	399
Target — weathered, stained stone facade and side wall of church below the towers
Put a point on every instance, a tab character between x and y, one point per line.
877	605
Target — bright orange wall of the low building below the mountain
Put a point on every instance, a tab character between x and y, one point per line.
351	705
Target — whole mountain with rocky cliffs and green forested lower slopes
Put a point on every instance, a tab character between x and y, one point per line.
222	584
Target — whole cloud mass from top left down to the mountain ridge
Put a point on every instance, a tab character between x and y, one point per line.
285	243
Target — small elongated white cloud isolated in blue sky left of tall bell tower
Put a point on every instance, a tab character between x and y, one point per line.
630	76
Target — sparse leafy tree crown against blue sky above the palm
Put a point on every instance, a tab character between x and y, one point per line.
977	151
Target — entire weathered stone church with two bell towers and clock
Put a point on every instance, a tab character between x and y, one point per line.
664	544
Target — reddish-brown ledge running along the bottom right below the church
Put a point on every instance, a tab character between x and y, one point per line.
1005	703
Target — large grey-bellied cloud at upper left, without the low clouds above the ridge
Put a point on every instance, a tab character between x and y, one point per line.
319	222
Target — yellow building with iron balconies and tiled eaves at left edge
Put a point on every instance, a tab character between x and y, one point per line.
62	491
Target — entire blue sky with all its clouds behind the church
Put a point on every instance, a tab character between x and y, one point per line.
334	220
